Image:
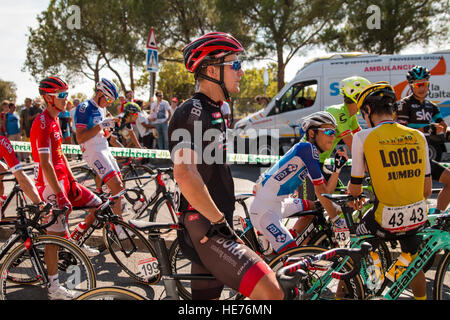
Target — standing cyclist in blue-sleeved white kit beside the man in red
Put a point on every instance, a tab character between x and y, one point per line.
91	124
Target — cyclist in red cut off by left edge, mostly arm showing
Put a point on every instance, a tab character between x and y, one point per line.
7	153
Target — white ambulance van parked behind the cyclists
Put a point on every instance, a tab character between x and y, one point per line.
316	86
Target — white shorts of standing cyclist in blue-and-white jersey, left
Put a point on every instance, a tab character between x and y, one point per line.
103	163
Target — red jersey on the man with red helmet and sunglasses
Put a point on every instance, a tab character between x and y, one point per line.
46	138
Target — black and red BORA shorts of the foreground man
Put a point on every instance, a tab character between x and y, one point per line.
233	264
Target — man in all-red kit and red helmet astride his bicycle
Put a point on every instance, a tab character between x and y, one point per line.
54	179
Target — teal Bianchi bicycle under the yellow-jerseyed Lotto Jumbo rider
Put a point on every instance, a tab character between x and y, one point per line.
436	238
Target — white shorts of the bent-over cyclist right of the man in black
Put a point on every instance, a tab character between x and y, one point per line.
266	217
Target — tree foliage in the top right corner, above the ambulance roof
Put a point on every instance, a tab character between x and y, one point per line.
386	26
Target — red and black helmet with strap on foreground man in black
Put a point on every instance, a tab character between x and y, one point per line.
210	48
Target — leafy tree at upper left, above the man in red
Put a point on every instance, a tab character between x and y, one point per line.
109	34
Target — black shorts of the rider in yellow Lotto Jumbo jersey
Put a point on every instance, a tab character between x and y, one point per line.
409	240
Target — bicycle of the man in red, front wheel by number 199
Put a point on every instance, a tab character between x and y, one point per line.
132	252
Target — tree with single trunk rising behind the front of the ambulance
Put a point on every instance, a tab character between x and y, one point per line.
279	28
